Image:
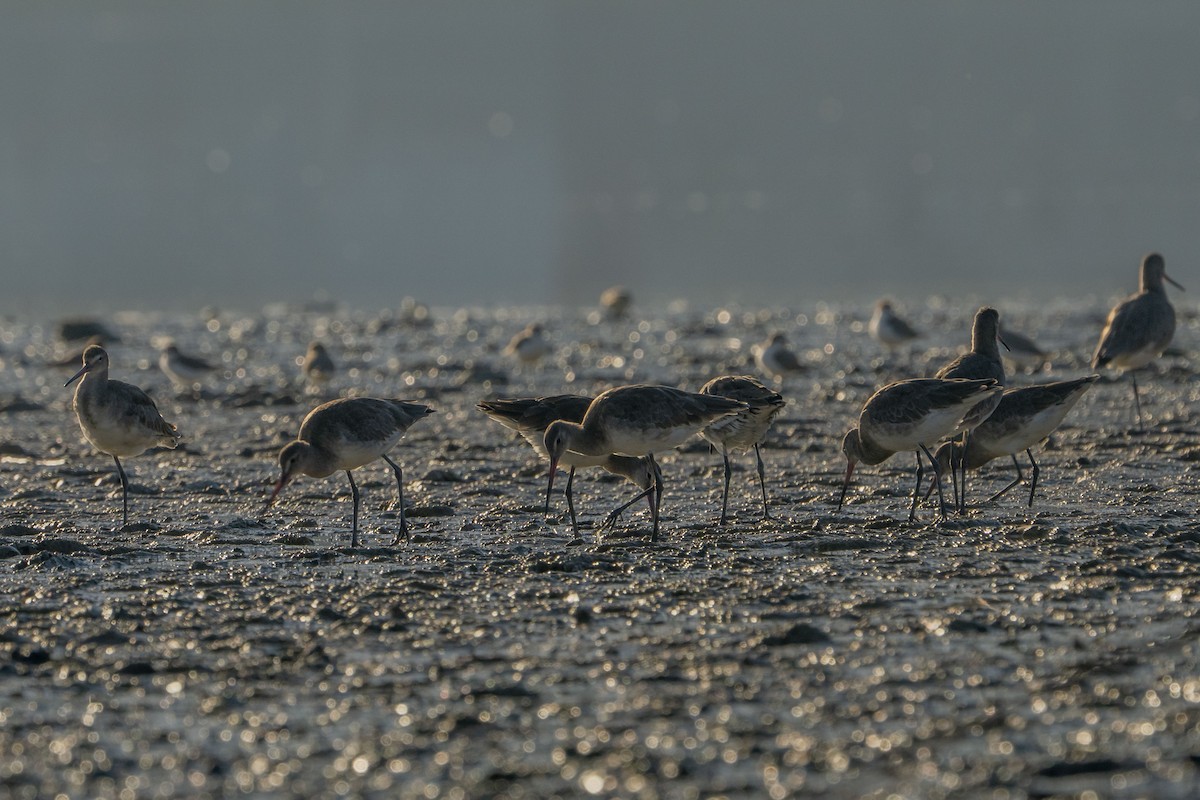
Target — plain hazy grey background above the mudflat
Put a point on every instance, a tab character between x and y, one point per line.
179	154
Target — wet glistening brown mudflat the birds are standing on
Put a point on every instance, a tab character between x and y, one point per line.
212	649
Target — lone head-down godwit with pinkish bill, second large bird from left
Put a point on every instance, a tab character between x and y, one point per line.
346	435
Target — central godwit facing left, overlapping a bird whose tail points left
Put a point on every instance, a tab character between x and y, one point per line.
637	420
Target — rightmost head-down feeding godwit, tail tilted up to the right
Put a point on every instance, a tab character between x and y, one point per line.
1023	418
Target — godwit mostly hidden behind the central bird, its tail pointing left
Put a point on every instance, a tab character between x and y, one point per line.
531	417
